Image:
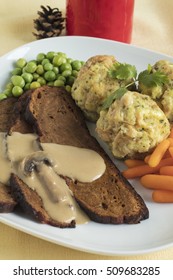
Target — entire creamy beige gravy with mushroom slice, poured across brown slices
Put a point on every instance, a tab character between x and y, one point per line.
43	166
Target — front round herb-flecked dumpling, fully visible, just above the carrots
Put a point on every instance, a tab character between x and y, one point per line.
133	125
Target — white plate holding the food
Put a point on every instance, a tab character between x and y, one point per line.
150	235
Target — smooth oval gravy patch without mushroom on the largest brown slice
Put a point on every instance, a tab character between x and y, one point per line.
79	164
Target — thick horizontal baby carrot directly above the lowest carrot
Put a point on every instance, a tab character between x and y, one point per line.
159	182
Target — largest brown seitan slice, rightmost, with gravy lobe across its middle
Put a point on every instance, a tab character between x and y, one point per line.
109	199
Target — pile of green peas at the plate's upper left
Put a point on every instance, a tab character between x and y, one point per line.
53	69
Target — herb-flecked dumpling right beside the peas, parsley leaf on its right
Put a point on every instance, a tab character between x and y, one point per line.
94	84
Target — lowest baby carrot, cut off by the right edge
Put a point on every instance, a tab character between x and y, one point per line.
162	196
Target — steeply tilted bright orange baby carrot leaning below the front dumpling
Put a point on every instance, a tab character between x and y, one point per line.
158	153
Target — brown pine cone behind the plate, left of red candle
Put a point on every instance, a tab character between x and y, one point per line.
50	23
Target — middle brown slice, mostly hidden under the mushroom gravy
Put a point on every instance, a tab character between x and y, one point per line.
28	199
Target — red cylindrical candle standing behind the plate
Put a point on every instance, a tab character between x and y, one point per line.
109	19
